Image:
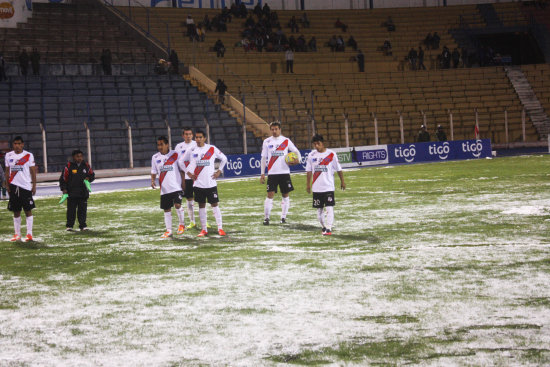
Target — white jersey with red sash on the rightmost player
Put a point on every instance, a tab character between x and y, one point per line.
323	165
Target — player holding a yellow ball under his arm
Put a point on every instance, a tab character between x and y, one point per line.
274	150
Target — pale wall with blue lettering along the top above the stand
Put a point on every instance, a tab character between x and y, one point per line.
297	4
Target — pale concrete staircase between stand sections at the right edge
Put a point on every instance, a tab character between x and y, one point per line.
529	100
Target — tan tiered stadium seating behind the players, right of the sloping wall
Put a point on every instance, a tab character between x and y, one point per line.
330	81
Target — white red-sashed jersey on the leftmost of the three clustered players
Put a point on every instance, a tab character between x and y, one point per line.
167	167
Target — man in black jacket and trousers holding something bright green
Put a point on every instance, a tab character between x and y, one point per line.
73	182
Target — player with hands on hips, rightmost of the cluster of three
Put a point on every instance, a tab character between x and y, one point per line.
203	173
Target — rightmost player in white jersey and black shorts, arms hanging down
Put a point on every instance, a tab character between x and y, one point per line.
320	167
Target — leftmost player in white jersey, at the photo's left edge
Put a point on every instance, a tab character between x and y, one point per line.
21	177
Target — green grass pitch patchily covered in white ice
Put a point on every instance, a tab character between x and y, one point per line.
434	264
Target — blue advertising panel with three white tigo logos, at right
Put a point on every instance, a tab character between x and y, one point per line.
439	151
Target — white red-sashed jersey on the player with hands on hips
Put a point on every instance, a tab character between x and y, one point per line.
202	165
